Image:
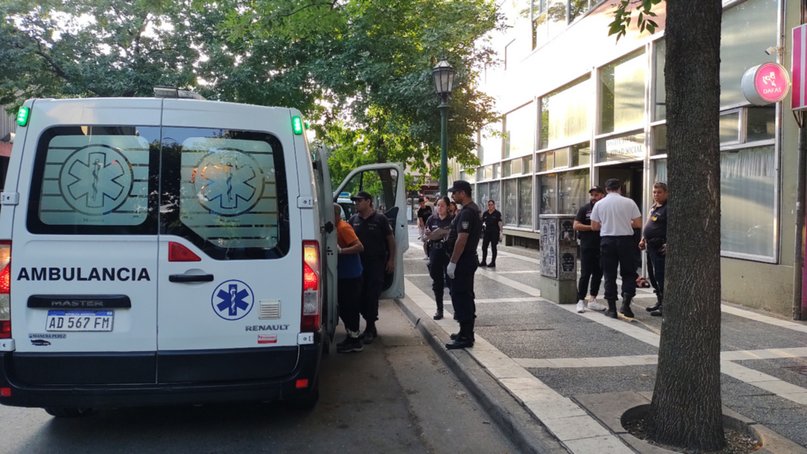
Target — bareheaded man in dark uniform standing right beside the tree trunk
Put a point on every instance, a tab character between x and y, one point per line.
654	240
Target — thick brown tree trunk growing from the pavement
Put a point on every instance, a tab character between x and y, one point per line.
686	410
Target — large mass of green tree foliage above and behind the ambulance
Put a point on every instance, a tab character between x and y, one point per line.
360	70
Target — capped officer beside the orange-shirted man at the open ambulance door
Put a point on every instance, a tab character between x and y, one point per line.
375	234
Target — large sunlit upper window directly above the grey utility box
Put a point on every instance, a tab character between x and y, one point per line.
565	115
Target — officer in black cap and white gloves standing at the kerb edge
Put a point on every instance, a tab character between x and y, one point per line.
463	238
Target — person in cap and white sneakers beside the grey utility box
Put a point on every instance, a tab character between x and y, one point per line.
590	268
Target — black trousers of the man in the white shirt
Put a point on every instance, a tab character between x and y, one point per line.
618	251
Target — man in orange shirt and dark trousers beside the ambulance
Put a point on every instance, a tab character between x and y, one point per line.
349	271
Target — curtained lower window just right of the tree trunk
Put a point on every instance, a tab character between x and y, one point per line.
747	198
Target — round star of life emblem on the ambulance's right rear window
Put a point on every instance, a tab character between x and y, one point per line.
228	182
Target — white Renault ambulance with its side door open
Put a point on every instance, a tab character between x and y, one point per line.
170	251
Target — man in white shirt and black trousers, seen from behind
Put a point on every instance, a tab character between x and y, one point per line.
615	217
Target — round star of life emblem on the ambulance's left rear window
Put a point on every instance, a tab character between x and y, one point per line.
95	179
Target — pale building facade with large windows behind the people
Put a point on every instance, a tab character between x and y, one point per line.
579	107
